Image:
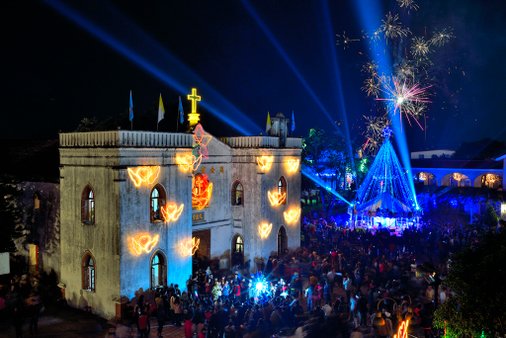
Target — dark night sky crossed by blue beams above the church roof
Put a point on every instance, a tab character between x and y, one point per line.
61	63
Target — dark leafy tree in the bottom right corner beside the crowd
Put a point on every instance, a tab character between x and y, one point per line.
477	277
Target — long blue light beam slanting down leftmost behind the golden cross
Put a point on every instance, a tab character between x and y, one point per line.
117	32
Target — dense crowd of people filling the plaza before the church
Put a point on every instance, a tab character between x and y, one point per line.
341	283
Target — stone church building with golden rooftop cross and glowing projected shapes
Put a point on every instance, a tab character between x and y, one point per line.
137	206
